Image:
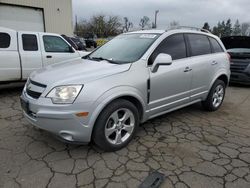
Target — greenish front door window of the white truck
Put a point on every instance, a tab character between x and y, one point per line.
55	44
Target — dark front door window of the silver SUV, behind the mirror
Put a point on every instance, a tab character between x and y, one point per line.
173	45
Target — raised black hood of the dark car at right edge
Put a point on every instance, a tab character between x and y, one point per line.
236	42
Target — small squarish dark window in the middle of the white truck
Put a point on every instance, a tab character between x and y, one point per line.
29	42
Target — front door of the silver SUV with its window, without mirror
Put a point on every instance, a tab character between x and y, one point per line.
170	85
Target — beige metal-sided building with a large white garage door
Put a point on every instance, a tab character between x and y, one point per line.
53	16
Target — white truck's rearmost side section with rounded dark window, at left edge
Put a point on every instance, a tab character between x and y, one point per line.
10	69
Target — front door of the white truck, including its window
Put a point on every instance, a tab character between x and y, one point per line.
55	49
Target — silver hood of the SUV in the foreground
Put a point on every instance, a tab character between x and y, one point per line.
78	71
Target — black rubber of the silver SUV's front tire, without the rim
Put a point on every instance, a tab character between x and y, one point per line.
99	137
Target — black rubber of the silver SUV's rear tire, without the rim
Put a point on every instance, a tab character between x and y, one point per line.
208	103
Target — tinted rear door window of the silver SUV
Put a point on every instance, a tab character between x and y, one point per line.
199	44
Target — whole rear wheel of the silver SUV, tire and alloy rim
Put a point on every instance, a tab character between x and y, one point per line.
215	97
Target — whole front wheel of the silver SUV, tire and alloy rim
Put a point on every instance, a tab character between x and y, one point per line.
116	125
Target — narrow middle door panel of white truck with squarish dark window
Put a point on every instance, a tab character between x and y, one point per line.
30	52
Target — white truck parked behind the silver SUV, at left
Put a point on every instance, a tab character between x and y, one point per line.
22	52
